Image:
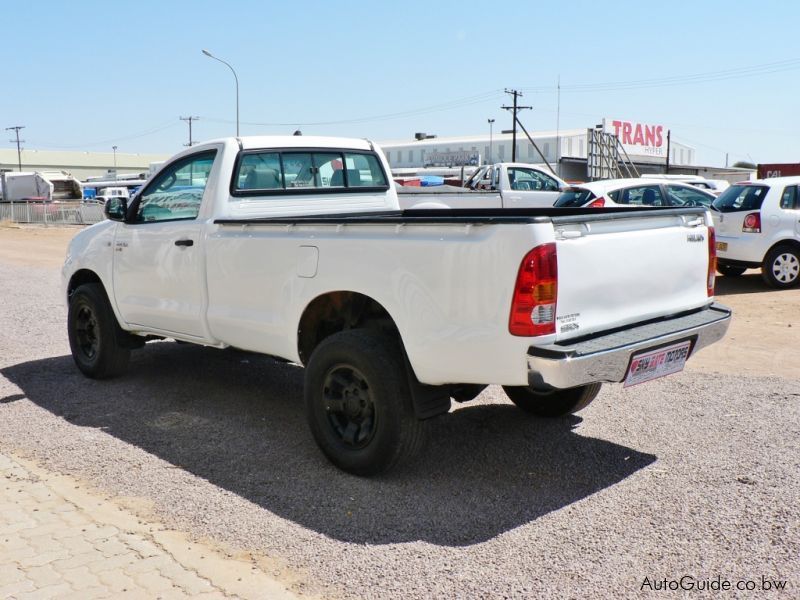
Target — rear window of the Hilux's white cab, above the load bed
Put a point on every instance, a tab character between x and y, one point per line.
262	172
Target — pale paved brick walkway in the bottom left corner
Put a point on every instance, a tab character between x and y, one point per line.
58	541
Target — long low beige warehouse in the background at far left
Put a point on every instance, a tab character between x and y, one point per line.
80	164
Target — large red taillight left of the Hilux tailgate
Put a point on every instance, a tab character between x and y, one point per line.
533	308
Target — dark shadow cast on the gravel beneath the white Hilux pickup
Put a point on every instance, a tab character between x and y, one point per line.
237	420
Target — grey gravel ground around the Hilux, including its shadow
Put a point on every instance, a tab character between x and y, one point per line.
695	474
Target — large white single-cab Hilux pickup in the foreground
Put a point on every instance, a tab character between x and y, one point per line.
295	247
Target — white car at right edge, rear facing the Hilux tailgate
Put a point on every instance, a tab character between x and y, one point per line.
758	225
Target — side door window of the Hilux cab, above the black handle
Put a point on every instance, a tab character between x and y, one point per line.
178	190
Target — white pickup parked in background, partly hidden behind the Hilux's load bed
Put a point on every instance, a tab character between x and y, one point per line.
502	185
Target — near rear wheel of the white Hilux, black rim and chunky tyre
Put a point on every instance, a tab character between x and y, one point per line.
358	403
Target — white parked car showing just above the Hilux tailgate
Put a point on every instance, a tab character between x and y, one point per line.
633	193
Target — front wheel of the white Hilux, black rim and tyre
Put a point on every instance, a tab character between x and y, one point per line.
94	334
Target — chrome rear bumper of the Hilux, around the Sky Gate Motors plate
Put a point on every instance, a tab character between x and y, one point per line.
605	357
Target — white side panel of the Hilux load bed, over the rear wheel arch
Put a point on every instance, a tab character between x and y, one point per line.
447	287
